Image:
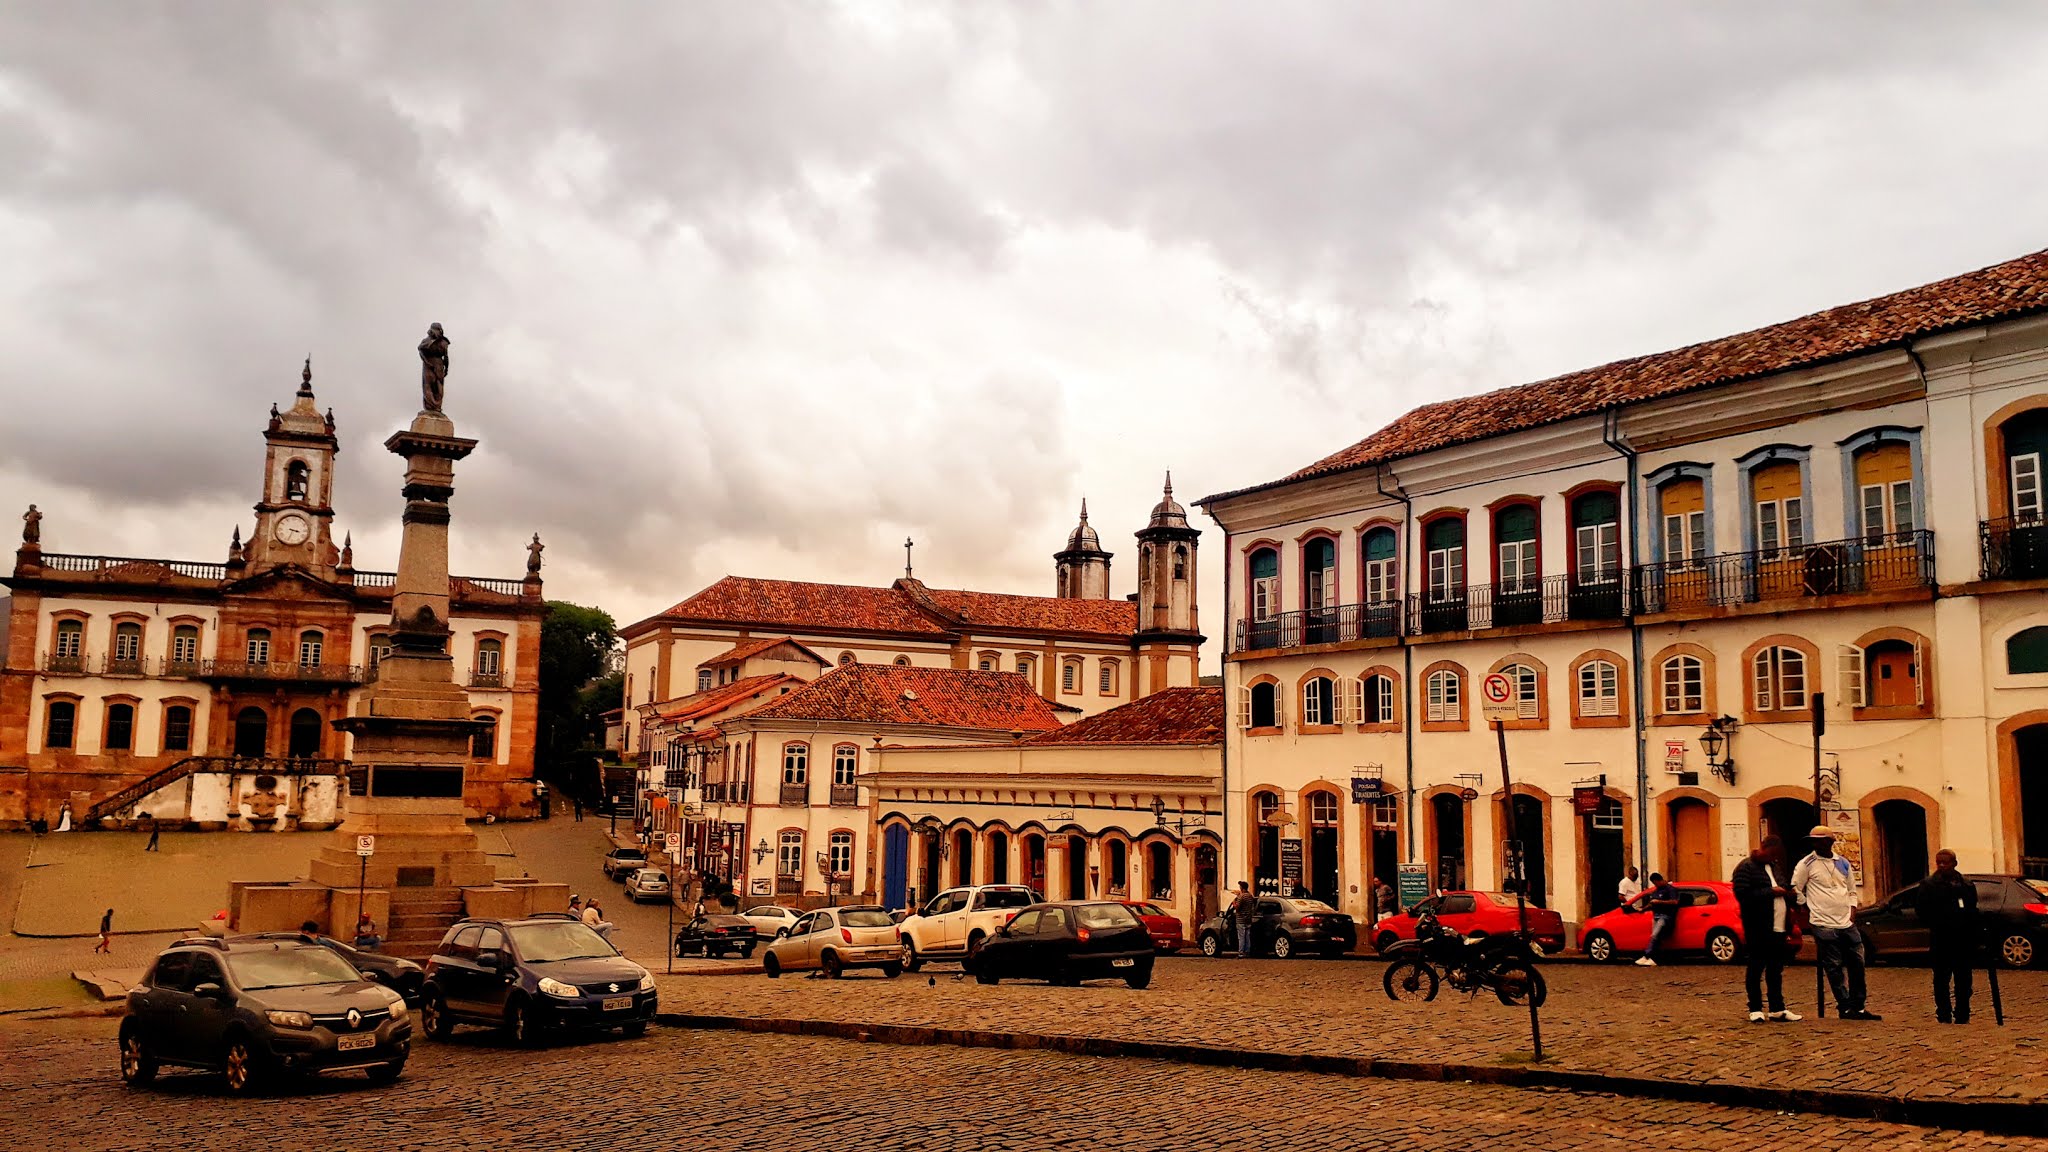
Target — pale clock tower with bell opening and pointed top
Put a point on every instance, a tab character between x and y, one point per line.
296	516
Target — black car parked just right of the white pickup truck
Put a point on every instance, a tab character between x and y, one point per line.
1066	944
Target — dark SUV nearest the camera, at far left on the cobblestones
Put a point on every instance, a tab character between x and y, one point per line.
259	1007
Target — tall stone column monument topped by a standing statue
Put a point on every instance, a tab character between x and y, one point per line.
413	729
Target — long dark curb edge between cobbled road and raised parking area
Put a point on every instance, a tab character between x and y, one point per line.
2006	1118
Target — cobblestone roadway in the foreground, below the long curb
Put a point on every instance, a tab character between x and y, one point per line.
746	1094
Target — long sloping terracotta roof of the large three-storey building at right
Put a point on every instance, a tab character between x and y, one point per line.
2000	292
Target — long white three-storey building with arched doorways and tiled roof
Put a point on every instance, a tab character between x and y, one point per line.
1672	561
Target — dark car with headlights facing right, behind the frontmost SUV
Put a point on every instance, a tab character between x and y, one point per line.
534	977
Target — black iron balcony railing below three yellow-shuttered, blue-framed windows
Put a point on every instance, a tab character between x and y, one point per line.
1893	563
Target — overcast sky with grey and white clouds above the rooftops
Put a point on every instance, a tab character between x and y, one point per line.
765	288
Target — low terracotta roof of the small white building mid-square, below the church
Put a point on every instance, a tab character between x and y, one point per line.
890	694
